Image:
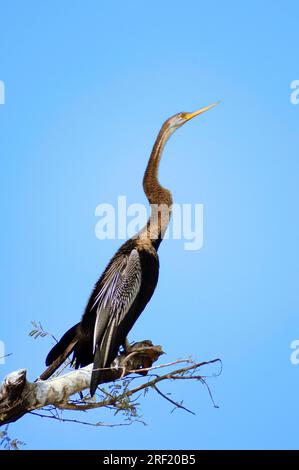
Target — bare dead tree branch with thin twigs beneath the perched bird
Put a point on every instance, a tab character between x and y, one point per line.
18	396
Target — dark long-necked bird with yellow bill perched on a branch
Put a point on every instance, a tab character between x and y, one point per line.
130	278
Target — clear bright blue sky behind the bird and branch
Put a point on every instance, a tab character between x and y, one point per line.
88	85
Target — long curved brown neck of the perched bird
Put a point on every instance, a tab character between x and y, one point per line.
160	198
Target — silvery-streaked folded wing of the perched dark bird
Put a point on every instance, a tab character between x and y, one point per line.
121	284
